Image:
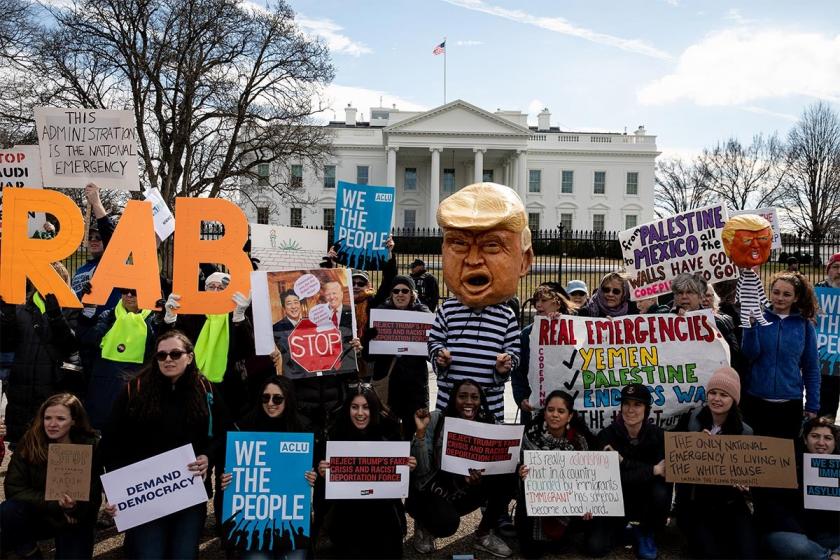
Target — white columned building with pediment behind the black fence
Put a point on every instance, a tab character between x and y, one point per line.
580	180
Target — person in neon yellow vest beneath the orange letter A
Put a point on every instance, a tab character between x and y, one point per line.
124	340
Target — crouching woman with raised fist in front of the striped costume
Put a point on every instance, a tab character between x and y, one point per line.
438	499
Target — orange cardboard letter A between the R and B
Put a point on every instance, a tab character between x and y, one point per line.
134	236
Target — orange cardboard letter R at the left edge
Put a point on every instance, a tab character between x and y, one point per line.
22	257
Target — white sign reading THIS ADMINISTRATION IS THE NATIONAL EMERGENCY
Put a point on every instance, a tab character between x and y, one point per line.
79	146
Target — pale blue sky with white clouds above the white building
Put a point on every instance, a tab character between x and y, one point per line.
694	73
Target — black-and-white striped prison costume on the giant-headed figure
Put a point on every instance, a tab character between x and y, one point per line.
473	339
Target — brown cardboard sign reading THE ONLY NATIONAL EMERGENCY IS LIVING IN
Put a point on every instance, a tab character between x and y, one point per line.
755	461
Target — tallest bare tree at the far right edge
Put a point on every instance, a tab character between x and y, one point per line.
812	186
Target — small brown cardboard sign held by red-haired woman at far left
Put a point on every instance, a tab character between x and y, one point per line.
68	471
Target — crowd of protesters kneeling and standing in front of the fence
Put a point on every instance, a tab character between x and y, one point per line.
137	382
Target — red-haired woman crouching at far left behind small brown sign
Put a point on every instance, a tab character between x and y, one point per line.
26	517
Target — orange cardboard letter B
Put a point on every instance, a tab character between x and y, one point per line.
191	250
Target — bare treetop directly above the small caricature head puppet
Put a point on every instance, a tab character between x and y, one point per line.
745	176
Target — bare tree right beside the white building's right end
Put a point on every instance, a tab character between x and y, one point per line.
680	186
